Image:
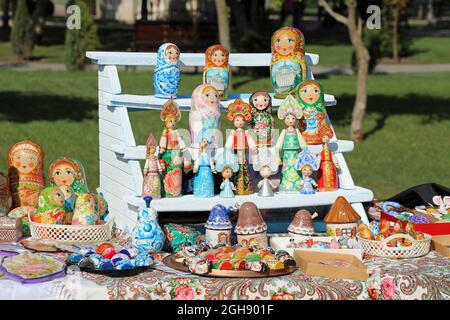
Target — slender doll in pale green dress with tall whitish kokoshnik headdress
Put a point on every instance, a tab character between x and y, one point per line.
290	142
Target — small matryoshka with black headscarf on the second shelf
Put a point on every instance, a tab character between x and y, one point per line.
262	120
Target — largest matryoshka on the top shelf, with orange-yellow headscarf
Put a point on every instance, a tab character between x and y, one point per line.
288	66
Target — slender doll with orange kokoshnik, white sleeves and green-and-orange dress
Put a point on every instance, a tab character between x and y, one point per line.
171	148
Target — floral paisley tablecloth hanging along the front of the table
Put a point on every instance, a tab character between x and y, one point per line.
421	278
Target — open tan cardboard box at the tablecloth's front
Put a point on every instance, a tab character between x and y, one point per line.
310	264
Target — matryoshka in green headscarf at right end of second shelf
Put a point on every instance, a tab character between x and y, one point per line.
314	125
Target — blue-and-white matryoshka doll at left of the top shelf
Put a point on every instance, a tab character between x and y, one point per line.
166	77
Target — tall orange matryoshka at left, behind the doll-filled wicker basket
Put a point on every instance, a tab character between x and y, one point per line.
26	173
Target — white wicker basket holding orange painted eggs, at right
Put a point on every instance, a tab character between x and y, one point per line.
380	249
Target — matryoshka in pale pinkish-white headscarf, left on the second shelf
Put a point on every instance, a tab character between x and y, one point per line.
204	116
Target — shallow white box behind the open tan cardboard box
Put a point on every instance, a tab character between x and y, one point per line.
281	243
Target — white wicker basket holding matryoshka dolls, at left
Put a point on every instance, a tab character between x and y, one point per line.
72	233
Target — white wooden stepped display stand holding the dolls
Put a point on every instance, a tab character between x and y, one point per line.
120	171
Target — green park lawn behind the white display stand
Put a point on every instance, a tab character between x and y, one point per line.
407	128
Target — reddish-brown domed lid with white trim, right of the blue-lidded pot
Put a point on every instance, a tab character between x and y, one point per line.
250	220
